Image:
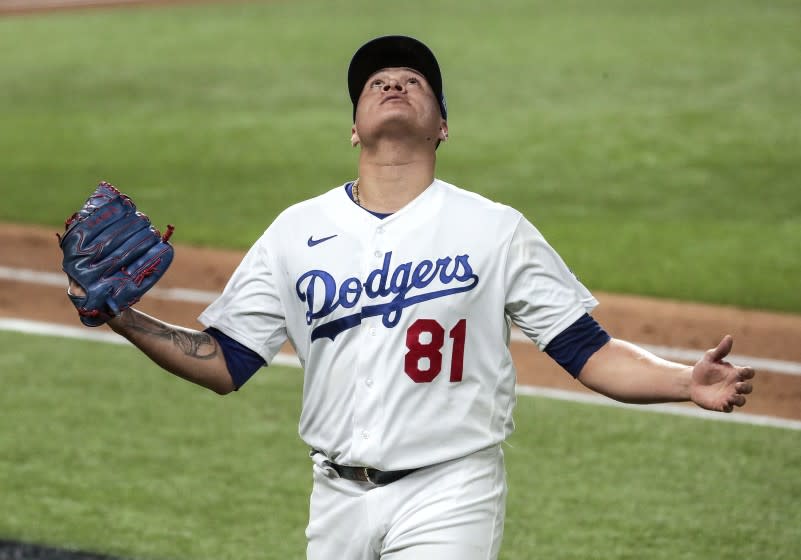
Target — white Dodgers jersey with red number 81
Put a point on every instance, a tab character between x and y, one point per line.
402	325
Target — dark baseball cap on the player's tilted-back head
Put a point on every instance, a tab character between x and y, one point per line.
394	51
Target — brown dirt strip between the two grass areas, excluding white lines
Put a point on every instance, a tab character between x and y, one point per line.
641	320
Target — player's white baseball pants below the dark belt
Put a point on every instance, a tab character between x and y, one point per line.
450	511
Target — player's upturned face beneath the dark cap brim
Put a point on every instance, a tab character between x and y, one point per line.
398	101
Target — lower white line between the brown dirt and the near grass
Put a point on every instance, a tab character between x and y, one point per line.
289	360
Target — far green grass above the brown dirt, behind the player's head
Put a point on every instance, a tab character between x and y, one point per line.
654	143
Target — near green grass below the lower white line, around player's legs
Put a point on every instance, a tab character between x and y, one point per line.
125	459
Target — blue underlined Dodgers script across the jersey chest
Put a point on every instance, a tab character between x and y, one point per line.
408	281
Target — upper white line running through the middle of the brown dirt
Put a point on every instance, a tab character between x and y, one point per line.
206	297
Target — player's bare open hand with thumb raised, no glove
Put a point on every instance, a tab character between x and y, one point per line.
718	385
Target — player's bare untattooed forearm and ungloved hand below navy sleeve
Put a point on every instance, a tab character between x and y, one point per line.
628	373
